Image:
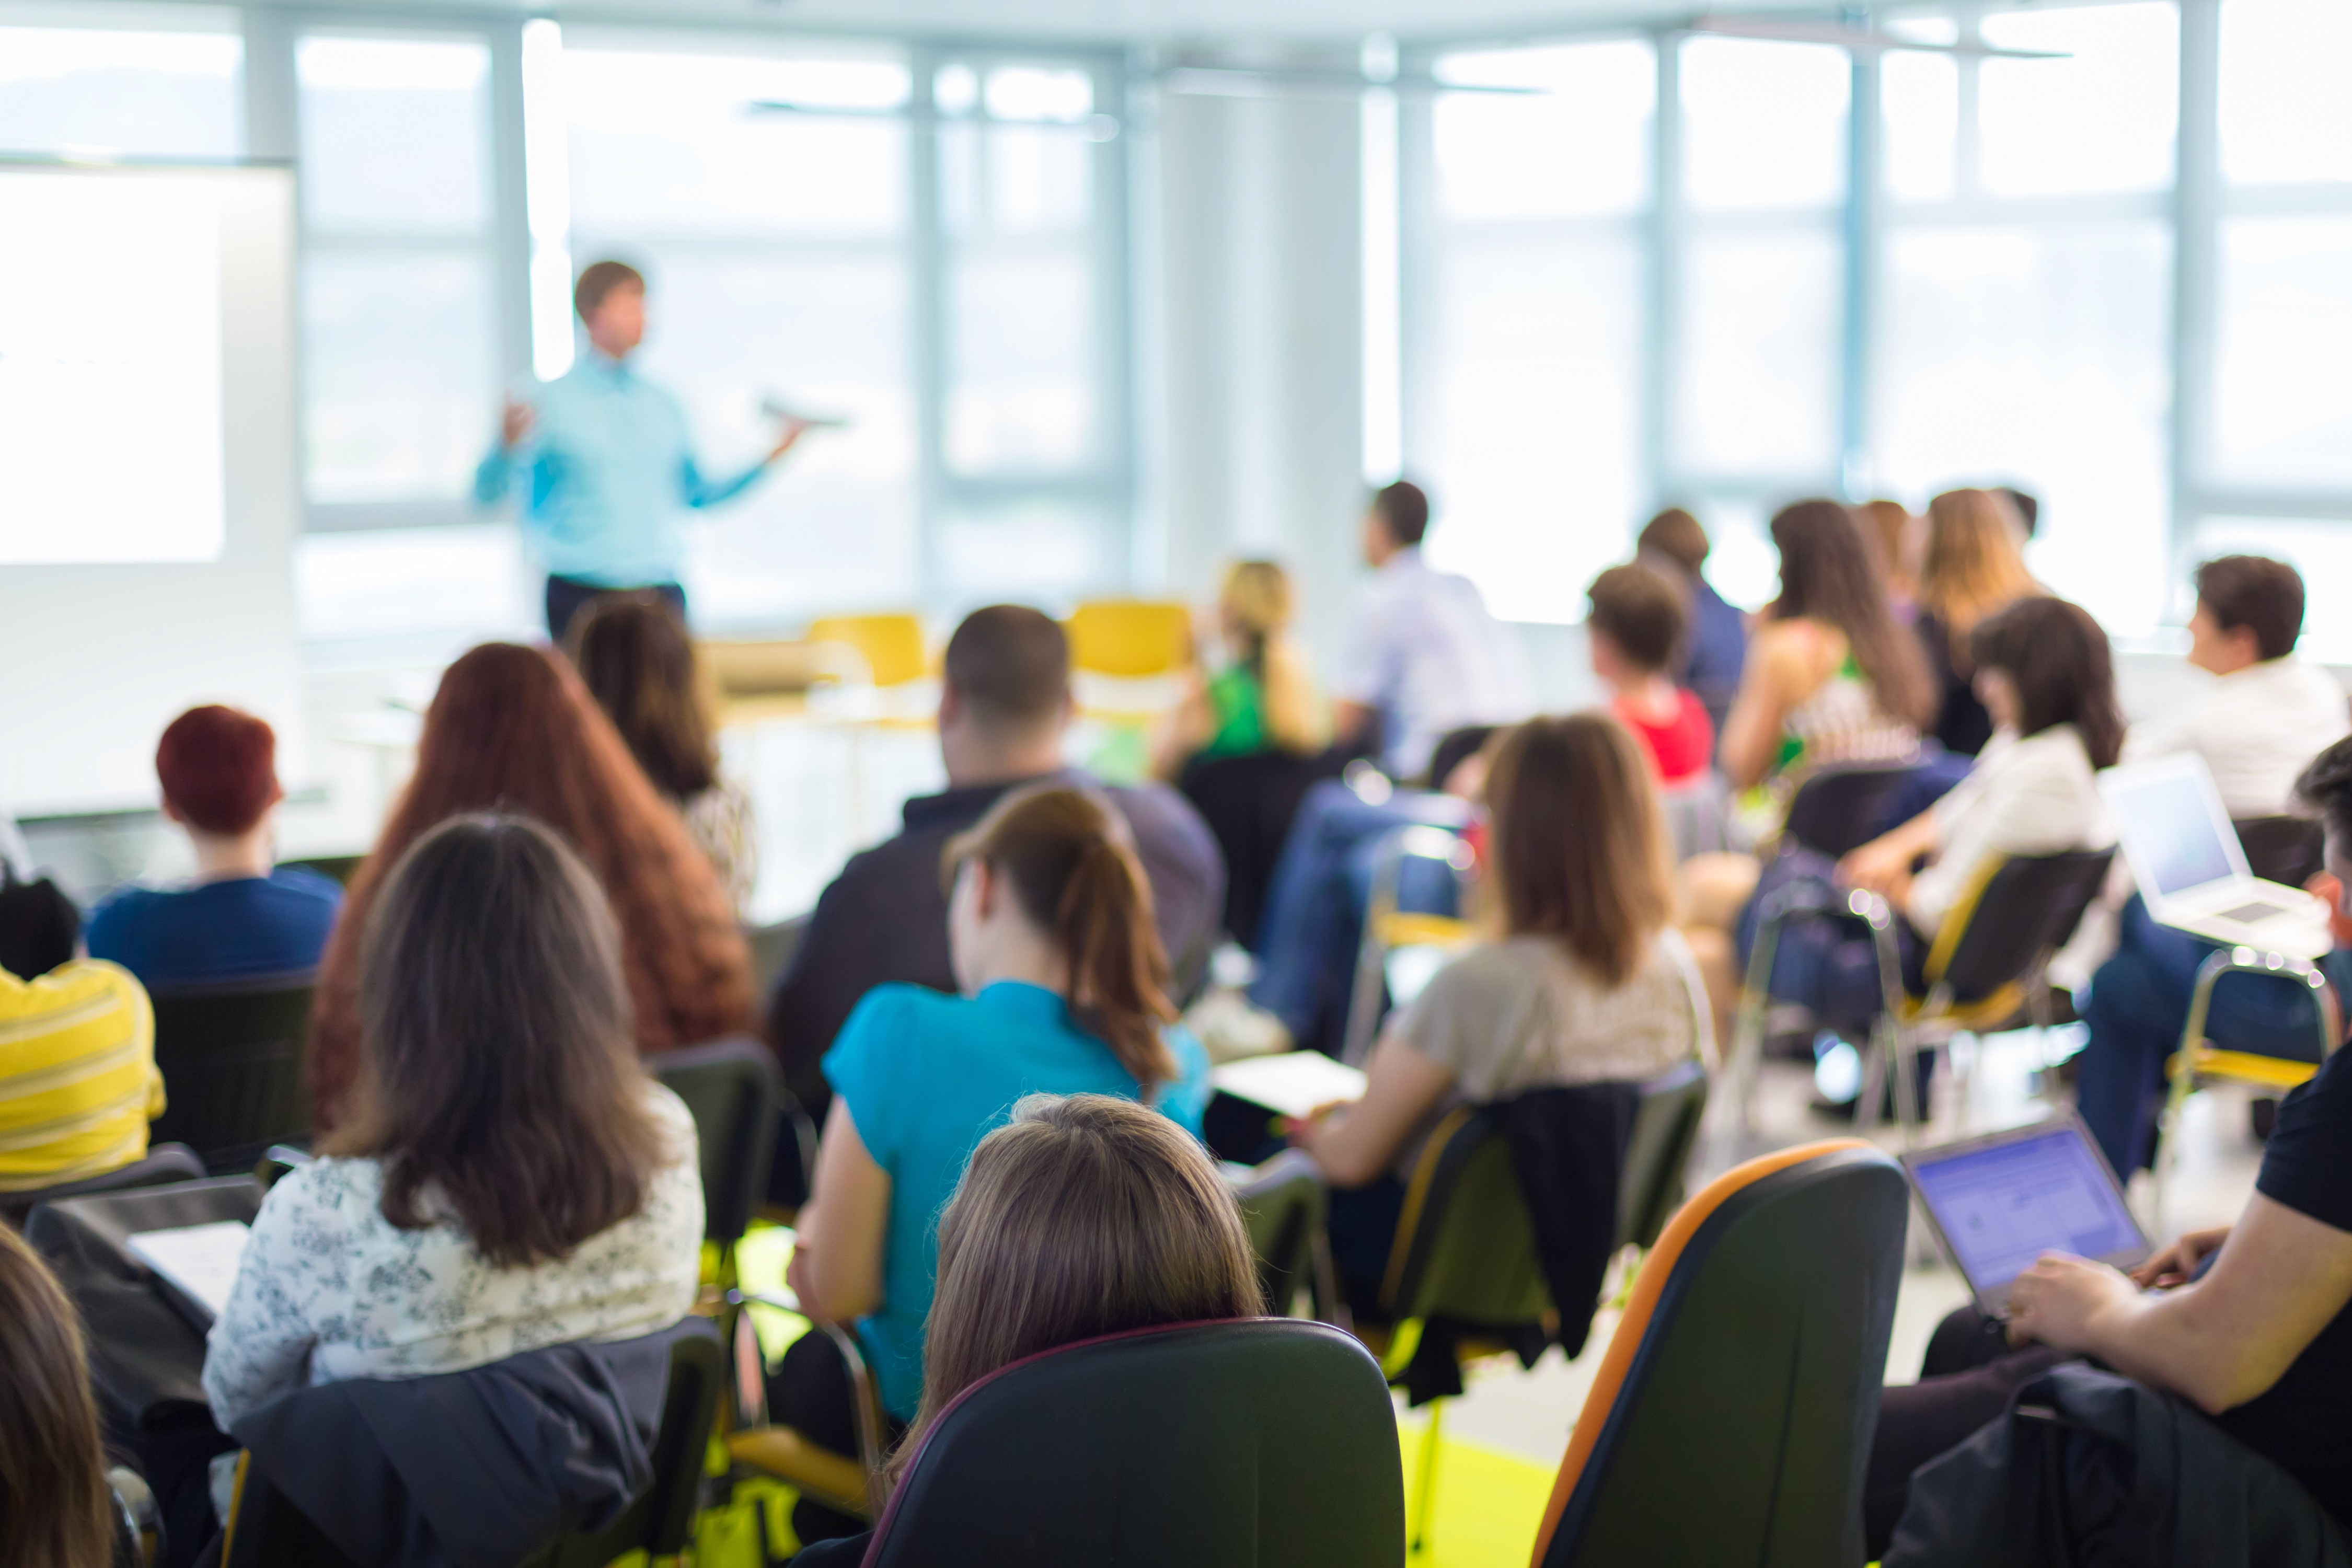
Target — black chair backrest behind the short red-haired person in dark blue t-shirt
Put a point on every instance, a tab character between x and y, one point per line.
232	1059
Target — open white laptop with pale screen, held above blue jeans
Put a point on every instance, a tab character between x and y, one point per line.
2191	866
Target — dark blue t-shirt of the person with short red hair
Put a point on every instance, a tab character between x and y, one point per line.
218	930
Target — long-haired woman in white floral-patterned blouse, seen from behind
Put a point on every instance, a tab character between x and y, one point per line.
509	1177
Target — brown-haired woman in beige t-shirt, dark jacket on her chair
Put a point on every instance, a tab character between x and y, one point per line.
1589	981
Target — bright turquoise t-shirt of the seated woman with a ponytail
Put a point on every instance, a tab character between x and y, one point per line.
928	1078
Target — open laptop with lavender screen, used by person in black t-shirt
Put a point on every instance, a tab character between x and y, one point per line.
2003	1200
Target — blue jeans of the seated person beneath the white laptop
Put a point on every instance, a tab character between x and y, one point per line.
2137	1012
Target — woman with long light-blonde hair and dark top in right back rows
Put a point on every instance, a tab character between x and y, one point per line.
1975	570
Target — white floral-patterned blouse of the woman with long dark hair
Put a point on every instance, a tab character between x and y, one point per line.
330	1289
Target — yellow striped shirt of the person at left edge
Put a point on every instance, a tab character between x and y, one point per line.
79	1076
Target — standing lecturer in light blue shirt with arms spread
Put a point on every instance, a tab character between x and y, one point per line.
606	467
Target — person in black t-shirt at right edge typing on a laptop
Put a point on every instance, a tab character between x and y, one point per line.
2252	1325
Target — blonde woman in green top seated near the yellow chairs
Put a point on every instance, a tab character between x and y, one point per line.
1262	699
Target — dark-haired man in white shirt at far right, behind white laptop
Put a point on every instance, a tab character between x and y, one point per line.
2266	713
